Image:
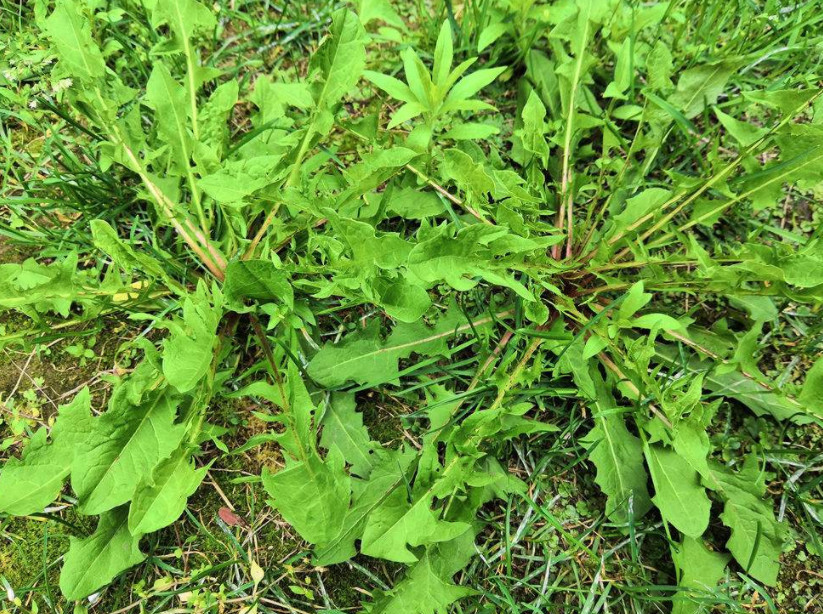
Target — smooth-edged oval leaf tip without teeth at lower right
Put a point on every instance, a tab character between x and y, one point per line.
678	494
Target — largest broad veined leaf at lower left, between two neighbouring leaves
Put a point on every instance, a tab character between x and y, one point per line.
124	446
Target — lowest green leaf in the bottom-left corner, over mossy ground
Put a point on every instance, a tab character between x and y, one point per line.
96	560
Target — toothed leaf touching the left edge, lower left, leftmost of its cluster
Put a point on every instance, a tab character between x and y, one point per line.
29	484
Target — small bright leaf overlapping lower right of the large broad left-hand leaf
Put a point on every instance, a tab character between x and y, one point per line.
161	498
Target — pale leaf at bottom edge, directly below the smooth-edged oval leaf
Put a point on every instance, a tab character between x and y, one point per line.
700	570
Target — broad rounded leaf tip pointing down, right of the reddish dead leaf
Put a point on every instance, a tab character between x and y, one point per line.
312	495
